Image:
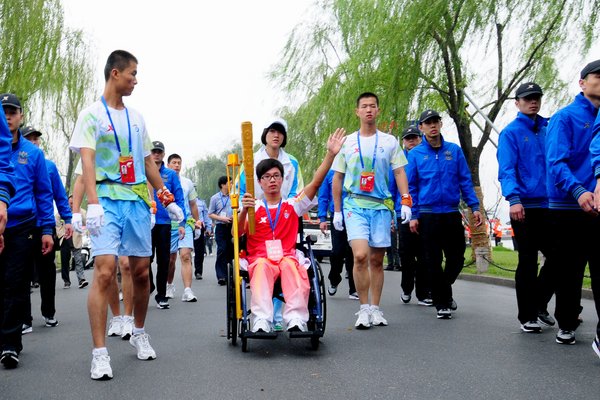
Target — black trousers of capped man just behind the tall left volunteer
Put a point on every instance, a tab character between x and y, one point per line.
161	246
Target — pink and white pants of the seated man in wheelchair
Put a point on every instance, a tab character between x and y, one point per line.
294	283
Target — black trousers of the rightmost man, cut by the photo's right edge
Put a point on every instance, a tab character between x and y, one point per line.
577	236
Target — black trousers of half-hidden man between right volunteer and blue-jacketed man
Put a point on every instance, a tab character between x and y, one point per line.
415	273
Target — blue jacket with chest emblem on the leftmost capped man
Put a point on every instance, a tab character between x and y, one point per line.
33	191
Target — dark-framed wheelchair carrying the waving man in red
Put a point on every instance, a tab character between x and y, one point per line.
241	328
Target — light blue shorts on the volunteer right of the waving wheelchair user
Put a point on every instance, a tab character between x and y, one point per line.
368	224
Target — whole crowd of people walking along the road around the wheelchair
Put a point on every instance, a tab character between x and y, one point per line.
372	192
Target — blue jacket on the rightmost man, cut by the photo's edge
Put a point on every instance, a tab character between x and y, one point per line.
568	156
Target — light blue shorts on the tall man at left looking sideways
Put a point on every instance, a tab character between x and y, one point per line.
126	230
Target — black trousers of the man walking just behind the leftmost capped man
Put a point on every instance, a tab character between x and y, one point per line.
46	271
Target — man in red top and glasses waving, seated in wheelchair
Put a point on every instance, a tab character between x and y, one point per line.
271	250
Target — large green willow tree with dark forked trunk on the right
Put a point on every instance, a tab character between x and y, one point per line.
425	53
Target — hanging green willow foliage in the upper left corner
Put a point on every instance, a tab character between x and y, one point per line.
49	67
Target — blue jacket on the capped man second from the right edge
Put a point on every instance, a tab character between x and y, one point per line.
522	161
